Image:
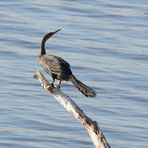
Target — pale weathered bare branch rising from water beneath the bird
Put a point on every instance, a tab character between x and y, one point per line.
92	127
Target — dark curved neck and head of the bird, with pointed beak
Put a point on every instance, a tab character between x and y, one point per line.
45	38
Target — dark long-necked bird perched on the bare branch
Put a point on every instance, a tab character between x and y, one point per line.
59	69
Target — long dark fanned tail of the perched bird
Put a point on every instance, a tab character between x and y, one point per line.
87	91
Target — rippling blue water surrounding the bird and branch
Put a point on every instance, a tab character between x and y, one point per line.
106	43
